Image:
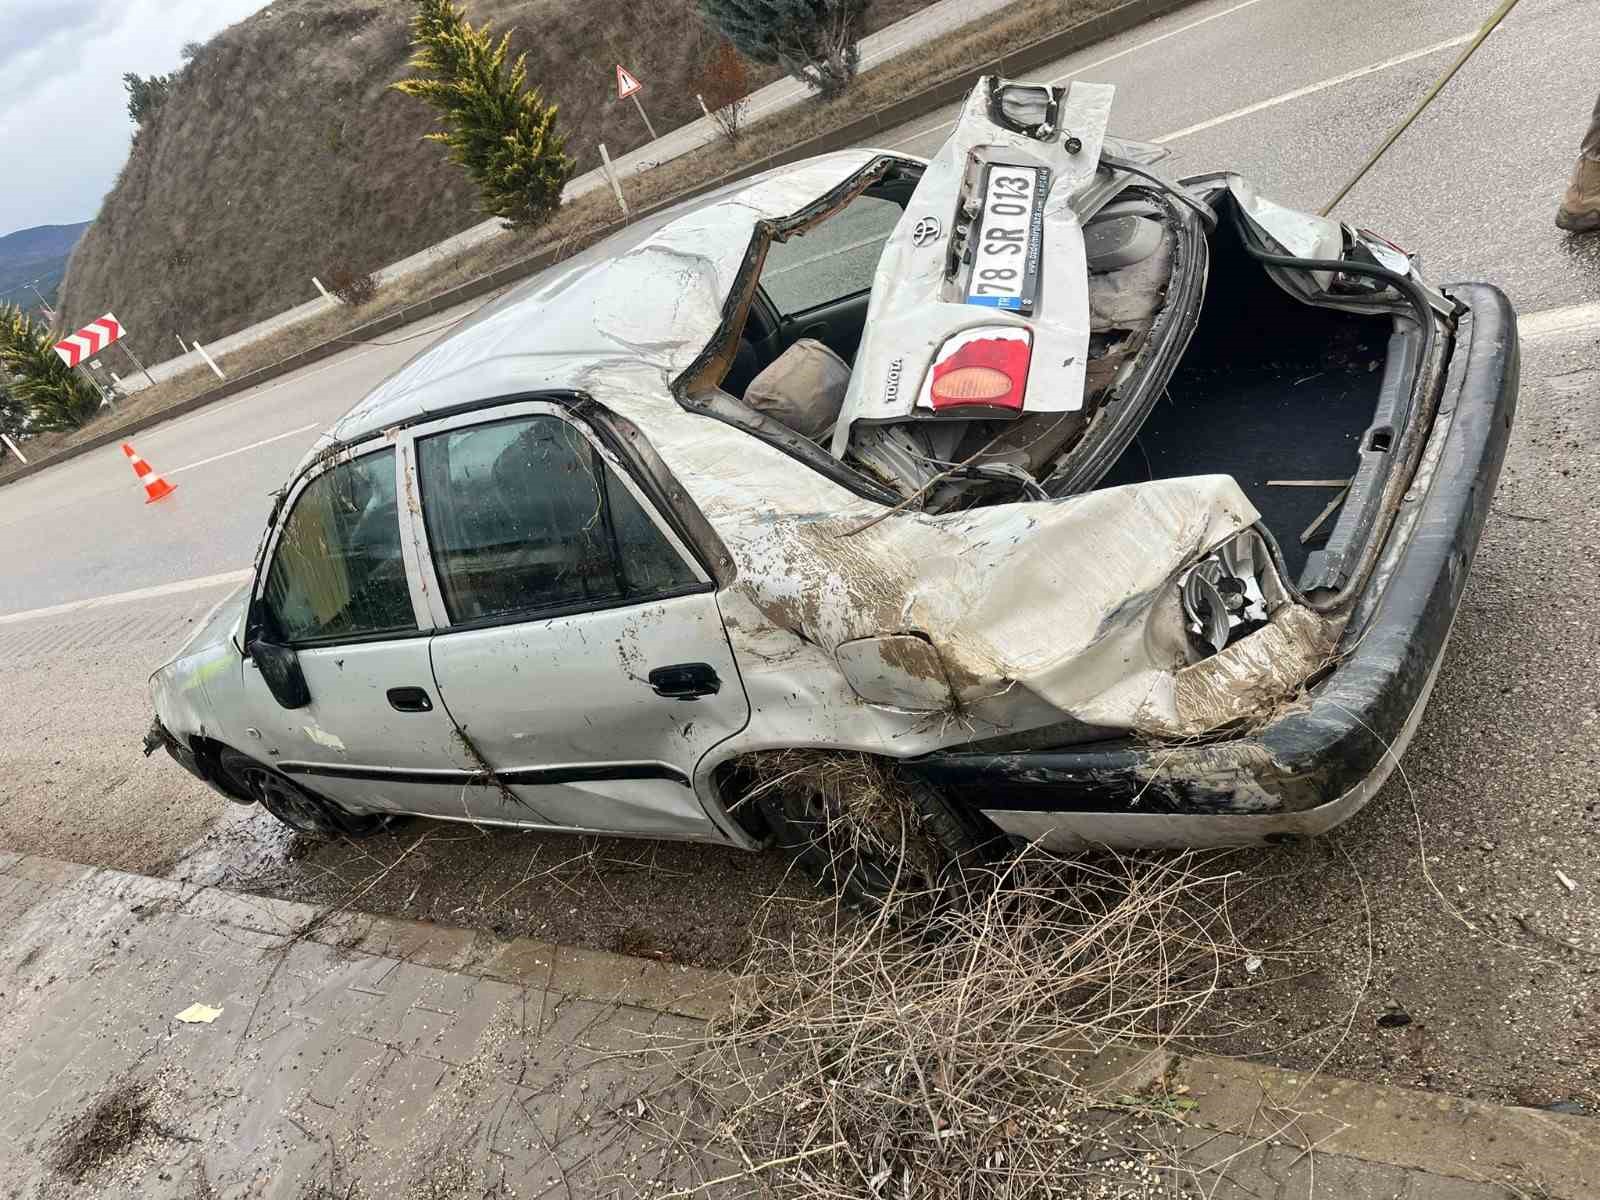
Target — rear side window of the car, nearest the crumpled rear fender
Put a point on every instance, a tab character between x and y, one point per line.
524	518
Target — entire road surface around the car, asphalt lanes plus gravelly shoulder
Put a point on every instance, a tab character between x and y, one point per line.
1468	935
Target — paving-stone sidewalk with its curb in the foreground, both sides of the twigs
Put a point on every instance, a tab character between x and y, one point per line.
359	1057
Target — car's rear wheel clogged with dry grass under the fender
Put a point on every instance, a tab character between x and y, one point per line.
919	850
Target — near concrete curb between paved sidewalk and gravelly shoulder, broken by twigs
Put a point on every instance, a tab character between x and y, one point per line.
1457	1140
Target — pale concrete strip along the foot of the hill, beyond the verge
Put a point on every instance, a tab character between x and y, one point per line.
892	41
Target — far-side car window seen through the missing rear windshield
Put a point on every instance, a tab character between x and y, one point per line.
833	260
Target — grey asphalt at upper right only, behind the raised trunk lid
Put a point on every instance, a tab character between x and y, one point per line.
1297	94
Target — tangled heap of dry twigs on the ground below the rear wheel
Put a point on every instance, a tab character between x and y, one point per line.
926	1058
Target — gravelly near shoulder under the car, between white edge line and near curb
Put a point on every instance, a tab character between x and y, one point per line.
1428	943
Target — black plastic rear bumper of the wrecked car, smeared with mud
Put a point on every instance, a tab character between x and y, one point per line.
1314	756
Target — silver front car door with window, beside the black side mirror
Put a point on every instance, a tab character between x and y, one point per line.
340	588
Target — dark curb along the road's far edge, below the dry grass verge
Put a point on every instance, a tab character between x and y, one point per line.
946	92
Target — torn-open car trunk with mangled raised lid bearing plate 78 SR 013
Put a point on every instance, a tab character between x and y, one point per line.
1050	316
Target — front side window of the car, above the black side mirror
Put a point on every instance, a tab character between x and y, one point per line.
337	570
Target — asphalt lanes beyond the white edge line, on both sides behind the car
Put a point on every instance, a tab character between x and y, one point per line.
1473	186
